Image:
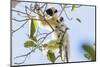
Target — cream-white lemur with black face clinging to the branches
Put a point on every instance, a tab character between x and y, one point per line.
60	30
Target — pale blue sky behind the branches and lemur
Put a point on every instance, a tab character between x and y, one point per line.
79	33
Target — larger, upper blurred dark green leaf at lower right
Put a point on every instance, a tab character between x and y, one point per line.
90	51
